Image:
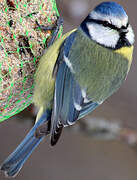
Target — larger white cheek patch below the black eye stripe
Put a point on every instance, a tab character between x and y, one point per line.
103	35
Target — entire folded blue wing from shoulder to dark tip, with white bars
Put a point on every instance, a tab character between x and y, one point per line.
68	100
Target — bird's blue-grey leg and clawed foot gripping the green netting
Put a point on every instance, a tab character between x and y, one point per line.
55	28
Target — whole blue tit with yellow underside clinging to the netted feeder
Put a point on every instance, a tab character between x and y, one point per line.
77	74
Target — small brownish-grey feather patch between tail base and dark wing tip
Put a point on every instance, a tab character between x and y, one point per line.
42	130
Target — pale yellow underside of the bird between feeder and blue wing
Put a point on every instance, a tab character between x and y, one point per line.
44	81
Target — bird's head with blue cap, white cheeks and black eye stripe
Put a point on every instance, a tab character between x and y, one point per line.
109	26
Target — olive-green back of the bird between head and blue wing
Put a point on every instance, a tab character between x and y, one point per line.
98	70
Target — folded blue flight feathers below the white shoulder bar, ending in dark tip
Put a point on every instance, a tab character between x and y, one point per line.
67	95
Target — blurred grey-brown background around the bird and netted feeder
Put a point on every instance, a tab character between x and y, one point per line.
84	153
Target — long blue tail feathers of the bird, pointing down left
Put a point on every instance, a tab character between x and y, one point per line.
15	161
